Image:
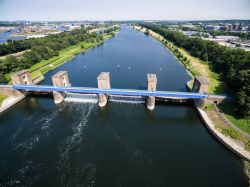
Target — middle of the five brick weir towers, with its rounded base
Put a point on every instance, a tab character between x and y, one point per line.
103	81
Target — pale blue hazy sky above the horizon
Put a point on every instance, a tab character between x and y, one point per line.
66	10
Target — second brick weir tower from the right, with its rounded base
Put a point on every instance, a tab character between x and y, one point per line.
152	81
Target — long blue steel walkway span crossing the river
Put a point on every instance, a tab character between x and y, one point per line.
165	94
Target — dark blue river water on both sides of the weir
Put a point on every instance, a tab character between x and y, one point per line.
79	144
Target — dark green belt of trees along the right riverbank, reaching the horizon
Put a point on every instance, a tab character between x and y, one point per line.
232	64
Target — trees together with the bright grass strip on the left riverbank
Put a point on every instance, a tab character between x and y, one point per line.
47	53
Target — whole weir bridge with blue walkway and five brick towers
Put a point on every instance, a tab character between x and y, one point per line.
22	85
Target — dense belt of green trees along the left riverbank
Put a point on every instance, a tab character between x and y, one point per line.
40	48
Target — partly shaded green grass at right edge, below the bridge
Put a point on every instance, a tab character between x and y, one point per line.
230	113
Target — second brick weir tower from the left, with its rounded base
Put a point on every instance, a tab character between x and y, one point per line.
60	79
